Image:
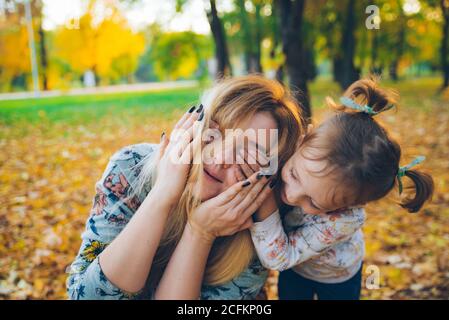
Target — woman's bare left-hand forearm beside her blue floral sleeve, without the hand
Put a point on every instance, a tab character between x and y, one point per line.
127	260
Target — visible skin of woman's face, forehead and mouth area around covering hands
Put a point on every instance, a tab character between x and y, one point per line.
222	172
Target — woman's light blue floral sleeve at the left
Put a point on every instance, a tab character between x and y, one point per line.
112	209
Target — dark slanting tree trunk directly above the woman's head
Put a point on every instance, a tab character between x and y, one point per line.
221	50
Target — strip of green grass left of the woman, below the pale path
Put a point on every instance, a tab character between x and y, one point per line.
88	108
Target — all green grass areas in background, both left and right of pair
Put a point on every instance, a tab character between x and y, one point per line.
71	110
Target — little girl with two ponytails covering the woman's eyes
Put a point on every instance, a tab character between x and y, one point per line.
348	161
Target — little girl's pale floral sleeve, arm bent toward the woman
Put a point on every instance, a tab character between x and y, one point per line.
278	250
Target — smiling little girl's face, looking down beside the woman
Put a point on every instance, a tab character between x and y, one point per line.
303	187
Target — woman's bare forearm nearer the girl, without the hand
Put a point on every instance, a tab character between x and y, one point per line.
184	273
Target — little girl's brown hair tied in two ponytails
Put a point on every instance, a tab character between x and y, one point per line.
361	151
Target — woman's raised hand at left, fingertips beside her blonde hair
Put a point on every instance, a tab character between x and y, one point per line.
175	156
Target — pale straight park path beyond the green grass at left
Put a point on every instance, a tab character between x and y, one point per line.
123	88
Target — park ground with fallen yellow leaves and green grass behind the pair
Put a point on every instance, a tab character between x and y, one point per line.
53	150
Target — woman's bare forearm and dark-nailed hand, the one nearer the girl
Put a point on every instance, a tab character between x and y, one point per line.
223	215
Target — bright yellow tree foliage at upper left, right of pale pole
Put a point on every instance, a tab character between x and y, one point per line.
108	48
